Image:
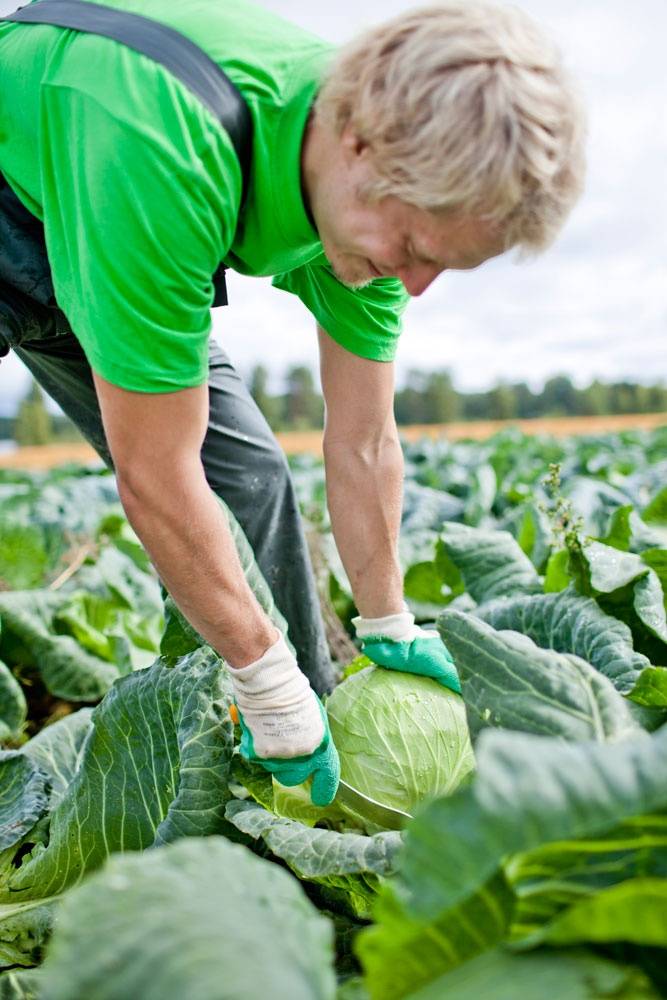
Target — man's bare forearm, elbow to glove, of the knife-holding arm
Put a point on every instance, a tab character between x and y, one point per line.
185	531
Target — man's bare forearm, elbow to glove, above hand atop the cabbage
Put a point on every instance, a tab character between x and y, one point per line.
364	494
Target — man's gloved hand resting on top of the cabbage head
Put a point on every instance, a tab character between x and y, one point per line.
397	643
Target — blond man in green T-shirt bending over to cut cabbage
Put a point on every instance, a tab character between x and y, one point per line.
436	141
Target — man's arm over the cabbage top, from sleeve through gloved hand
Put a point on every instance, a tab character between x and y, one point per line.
364	467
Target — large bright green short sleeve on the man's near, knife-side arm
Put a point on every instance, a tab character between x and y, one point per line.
137	218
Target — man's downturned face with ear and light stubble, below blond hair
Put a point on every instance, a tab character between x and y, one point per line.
364	240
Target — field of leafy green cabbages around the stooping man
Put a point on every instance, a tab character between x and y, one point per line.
141	857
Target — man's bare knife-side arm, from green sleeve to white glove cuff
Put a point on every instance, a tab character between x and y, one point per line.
155	441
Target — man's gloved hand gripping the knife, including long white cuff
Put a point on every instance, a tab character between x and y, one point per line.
284	726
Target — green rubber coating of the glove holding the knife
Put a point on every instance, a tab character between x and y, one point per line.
323	763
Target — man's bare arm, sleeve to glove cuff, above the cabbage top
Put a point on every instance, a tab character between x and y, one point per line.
364	473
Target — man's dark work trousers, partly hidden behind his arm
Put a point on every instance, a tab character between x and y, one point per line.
242	459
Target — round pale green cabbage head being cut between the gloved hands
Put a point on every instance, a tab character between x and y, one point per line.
401	738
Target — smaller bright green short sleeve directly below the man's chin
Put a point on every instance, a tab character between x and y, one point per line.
366	321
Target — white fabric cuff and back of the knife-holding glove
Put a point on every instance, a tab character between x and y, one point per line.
278	705
